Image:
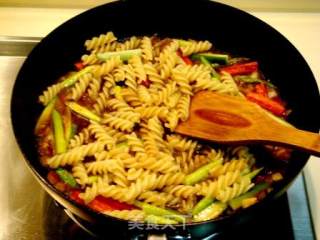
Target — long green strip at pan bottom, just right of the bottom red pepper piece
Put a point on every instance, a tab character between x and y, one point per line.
153	210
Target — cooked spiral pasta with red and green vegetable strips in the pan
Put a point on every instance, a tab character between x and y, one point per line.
106	133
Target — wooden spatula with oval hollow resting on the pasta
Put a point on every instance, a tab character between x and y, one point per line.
227	119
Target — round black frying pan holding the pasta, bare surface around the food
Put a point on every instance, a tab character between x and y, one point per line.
228	28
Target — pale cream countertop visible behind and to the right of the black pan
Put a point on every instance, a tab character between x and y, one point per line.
302	29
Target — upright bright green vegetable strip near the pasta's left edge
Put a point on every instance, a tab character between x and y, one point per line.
59	140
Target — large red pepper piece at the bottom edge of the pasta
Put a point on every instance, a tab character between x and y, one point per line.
102	204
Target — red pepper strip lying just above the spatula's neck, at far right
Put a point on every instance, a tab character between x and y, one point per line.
267	103
